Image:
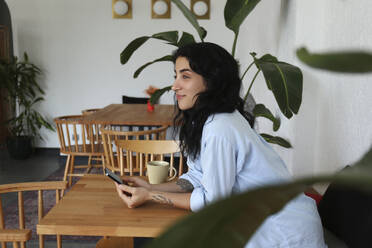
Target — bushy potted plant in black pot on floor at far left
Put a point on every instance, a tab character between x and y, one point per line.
19	80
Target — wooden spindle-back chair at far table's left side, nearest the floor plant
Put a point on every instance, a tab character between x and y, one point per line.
77	138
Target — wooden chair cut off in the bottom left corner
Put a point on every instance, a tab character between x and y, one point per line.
19	236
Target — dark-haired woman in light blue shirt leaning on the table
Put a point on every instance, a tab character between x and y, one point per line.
224	154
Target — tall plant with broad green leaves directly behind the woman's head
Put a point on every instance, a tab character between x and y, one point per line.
282	79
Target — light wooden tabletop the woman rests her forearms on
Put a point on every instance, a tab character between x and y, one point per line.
93	208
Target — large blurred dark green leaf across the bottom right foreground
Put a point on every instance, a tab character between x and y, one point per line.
231	222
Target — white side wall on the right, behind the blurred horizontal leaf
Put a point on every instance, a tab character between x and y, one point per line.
333	128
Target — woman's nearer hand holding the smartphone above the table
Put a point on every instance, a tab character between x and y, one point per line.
137	195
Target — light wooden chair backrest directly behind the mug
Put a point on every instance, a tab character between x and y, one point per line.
148	150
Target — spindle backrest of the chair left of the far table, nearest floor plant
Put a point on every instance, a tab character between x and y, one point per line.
77	137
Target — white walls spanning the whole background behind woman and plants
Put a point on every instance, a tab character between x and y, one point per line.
78	43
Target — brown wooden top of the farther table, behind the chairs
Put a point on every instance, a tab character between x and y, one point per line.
132	114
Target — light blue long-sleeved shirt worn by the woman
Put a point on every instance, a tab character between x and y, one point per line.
234	158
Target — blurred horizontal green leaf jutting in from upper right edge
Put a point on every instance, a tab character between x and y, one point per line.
348	61
